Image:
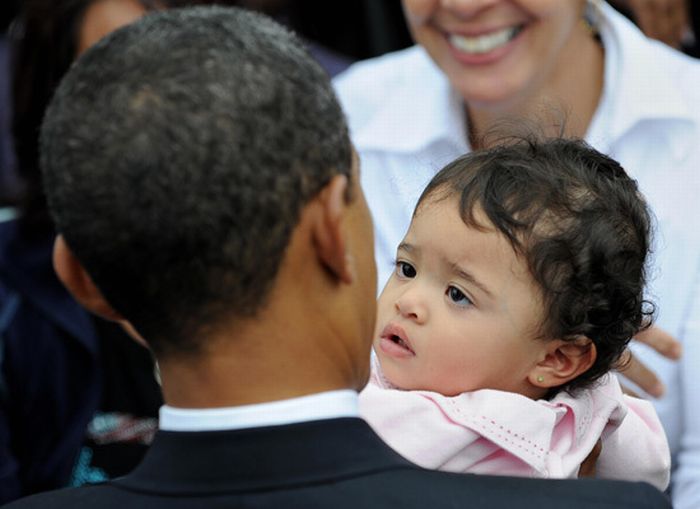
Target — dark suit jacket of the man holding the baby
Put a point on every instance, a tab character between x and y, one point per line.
337	463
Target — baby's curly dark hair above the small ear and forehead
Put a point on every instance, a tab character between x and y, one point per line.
580	223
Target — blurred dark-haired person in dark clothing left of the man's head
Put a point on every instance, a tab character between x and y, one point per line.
78	397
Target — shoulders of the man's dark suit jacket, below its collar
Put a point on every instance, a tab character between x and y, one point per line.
406	487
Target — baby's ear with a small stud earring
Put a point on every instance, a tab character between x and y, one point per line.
563	361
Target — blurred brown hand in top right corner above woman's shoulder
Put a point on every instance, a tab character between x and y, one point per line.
665	20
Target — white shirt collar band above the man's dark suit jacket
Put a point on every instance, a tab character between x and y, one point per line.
324	405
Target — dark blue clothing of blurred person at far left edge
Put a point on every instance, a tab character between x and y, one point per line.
50	384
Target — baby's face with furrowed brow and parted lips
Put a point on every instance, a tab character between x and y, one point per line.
461	311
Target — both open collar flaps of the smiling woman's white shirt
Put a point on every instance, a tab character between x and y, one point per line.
425	109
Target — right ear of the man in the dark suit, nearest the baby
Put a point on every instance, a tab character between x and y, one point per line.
328	229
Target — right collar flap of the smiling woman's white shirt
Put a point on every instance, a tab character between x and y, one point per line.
637	87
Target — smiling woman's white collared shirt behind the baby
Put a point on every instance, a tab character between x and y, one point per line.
407	122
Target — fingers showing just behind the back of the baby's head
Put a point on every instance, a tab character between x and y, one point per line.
637	372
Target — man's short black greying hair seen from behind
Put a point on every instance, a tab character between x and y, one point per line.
177	155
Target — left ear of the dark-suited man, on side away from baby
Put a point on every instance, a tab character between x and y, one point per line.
79	283
